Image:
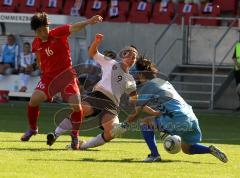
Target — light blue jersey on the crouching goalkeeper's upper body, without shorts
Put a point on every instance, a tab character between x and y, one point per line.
161	95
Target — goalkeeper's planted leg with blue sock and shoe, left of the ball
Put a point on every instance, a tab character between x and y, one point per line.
147	126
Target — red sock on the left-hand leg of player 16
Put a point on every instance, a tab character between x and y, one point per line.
33	114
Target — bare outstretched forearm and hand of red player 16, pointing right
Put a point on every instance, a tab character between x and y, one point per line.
80	25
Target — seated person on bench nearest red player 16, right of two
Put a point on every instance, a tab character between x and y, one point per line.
27	66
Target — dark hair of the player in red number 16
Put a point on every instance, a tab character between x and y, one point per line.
40	19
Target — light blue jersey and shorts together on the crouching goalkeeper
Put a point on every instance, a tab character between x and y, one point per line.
177	117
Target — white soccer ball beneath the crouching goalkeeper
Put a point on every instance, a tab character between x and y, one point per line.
172	144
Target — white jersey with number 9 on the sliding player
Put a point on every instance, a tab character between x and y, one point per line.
115	81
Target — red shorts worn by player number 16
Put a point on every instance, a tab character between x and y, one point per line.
65	83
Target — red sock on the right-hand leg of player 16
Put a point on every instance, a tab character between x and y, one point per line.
76	120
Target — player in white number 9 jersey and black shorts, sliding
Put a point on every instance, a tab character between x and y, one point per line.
105	97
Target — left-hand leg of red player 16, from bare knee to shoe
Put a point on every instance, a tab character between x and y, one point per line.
38	97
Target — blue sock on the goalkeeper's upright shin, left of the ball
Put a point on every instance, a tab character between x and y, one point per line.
149	136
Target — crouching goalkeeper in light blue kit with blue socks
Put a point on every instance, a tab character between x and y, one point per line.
170	115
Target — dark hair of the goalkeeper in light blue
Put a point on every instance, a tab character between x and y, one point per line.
146	67
